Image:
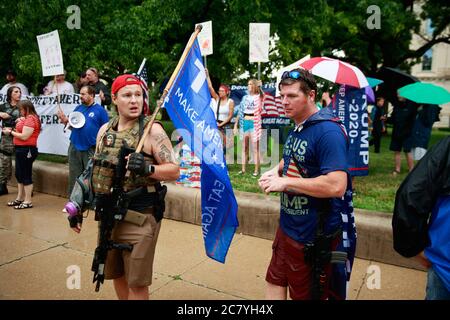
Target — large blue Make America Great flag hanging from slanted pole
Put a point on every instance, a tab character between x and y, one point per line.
188	105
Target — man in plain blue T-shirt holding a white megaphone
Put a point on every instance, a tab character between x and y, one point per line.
82	140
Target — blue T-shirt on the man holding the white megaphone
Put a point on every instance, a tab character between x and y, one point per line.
85	137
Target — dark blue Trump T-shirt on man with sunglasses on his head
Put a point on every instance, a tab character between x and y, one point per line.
318	148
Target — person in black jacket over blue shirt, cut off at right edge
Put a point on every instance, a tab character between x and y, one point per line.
421	220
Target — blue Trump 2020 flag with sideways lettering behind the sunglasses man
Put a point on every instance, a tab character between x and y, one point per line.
350	105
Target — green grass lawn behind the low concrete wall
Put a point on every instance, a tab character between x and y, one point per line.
373	192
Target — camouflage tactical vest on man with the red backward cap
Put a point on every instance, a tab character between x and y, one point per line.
106	158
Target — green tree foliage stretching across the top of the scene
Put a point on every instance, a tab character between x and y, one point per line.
116	35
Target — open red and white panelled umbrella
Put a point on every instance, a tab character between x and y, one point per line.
336	71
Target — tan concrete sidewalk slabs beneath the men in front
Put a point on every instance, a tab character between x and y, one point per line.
39	253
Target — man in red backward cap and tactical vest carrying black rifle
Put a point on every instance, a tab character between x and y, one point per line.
129	205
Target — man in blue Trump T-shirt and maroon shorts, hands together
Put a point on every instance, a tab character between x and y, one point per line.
316	200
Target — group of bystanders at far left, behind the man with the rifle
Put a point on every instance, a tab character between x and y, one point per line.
21	125
